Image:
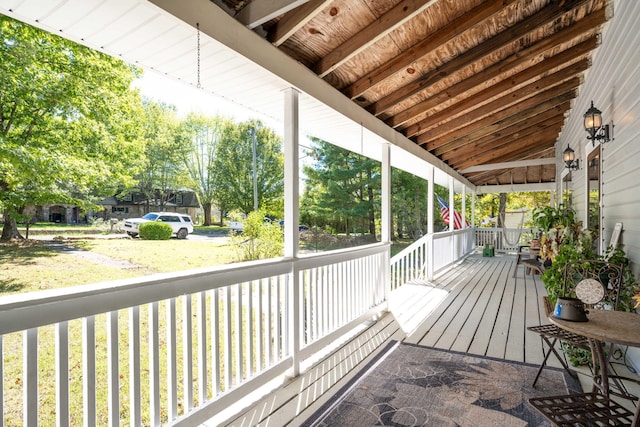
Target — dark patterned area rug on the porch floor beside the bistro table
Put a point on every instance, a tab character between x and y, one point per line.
410	385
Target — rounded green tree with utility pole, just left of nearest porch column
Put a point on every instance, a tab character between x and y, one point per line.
234	172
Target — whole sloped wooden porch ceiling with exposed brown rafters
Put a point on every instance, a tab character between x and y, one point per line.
483	85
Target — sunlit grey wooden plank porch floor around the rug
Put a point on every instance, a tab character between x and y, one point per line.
476	307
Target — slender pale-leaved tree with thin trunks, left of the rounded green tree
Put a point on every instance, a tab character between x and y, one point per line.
202	135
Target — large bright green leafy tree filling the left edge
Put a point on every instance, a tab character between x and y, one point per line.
68	122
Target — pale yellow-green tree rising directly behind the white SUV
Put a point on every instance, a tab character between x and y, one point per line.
163	166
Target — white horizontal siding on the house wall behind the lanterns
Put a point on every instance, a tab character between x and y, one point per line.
613	83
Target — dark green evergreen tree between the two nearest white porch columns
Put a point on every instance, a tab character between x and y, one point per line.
344	188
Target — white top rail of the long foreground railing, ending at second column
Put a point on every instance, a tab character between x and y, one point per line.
23	311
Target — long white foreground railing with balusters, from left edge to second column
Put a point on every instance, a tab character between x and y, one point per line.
177	348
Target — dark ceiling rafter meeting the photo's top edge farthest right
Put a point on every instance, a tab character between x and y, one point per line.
548	14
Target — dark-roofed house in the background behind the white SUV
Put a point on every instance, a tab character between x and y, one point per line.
135	204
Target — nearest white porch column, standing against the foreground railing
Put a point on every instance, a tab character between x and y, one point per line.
291	211
